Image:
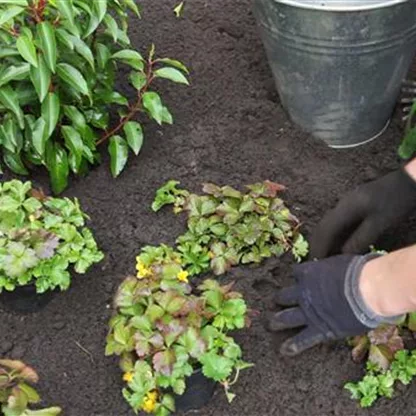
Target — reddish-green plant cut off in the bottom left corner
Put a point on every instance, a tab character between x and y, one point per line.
16	393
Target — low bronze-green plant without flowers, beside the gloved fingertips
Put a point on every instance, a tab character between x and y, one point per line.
227	227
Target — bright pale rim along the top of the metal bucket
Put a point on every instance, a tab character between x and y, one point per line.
322	6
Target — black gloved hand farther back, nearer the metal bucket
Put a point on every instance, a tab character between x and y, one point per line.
363	215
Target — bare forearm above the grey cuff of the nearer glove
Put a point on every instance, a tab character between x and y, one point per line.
388	283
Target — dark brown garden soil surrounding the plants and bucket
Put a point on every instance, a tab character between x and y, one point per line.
230	128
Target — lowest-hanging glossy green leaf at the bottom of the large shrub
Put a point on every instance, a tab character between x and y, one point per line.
58	167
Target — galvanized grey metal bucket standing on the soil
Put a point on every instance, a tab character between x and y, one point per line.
339	64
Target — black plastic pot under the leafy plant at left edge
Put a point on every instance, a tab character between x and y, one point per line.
25	300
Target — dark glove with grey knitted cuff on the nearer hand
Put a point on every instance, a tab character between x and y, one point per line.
326	301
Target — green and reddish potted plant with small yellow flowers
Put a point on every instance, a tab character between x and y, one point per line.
164	331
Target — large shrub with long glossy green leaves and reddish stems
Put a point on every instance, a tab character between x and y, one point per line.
59	62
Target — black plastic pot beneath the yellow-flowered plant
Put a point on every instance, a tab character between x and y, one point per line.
199	391
